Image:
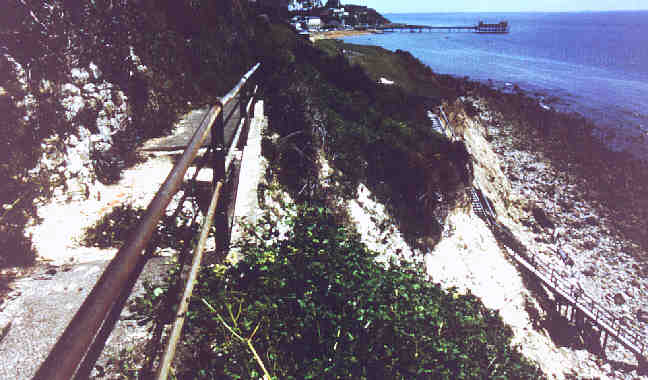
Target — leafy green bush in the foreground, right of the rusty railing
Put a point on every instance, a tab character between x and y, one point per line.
317	305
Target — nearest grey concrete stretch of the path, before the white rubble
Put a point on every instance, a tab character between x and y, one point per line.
45	302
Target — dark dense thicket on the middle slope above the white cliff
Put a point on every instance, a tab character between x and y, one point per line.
377	135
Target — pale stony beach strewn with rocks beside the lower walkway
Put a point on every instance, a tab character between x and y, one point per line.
553	208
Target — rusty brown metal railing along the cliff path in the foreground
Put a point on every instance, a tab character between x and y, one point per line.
81	343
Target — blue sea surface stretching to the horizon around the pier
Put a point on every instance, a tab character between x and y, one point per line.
593	63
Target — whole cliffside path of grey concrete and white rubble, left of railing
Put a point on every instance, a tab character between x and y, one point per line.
39	305
